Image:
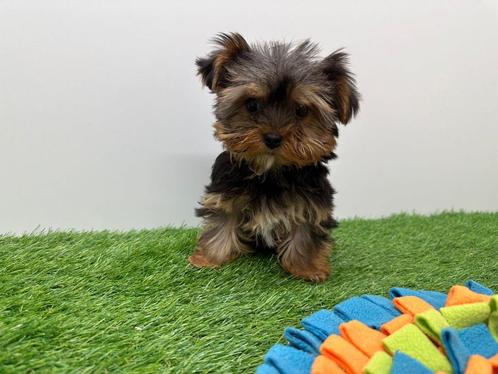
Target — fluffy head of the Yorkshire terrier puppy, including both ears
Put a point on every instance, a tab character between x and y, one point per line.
278	103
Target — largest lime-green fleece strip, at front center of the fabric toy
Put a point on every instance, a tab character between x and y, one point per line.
412	342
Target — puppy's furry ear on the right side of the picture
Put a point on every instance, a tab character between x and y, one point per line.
344	96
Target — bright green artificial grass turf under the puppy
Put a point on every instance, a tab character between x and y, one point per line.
106	301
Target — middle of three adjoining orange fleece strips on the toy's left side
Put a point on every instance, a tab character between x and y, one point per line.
344	354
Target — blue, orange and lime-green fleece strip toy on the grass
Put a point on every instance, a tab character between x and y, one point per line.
415	331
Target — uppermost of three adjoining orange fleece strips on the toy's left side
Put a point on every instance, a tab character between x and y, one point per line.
366	339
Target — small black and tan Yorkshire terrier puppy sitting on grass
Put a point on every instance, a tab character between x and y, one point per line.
277	108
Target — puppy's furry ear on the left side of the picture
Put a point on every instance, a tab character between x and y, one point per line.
212	68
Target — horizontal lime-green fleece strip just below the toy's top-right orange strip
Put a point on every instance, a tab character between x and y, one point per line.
465	315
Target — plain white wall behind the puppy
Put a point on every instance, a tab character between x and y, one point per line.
103	123
